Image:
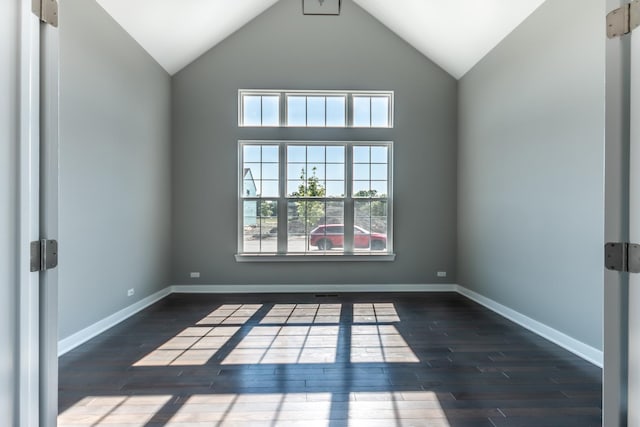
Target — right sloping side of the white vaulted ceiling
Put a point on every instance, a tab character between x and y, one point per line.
453	34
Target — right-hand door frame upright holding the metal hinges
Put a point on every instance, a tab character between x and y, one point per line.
617	214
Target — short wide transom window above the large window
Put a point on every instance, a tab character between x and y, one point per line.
268	108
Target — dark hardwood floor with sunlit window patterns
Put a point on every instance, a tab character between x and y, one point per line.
432	359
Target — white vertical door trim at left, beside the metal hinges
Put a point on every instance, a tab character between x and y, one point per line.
28	376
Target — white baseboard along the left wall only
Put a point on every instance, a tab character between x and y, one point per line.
69	343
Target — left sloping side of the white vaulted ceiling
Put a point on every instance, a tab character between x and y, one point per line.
176	32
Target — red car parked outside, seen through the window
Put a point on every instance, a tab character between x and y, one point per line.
330	236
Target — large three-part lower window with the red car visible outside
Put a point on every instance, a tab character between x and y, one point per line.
315	198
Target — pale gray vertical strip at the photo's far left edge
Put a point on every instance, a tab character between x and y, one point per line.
9	43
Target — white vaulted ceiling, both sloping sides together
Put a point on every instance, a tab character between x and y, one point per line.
453	34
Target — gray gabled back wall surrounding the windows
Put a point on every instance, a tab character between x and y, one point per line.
282	49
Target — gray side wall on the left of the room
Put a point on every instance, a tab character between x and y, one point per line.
115	168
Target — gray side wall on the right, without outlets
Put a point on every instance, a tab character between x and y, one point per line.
531	158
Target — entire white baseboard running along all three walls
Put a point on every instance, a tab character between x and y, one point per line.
579	348
